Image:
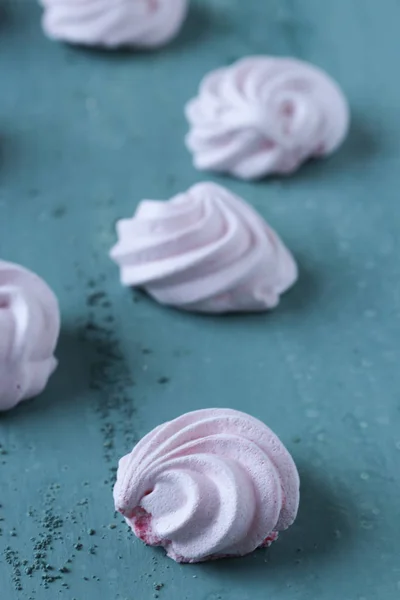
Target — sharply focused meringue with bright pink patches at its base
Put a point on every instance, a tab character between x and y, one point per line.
210	484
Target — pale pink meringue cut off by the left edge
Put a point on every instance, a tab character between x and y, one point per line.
29	326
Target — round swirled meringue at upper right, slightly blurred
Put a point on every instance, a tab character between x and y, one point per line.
265	115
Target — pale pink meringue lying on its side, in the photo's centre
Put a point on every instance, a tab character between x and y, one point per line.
204	250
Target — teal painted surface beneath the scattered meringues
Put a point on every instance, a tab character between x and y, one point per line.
84	136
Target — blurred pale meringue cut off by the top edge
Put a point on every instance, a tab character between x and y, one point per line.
114	23
